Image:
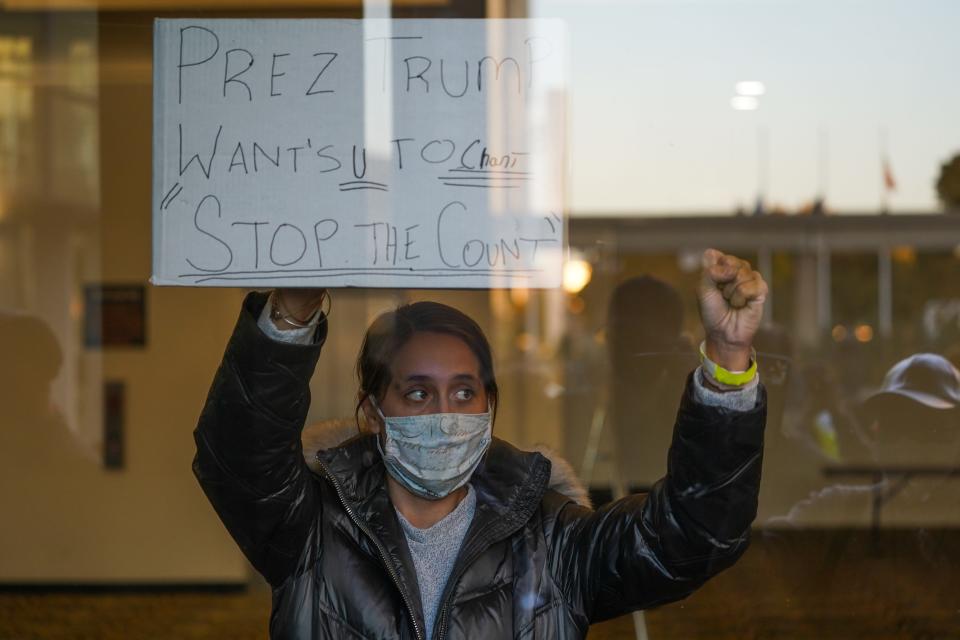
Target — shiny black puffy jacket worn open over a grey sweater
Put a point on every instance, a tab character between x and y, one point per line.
534	564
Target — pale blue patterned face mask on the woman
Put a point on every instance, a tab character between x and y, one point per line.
435	454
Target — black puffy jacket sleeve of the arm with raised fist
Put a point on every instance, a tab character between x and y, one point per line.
642	551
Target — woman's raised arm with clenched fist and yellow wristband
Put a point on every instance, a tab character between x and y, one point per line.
646	550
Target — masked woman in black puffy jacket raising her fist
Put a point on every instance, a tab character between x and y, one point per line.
427	527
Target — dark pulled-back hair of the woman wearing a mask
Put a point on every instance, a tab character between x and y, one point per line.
392	329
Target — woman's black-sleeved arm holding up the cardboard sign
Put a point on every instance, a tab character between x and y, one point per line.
249	457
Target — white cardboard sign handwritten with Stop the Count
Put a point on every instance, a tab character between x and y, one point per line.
378	153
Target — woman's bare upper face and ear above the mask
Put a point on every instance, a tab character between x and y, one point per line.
432	373
